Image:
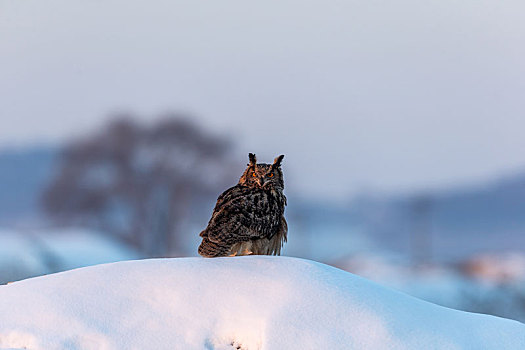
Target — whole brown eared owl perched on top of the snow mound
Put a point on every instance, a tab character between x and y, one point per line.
249	217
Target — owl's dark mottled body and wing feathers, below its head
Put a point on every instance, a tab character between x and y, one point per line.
246	214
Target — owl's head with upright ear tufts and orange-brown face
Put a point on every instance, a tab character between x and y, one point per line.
262	175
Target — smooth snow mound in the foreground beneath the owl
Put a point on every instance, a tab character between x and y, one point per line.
233	303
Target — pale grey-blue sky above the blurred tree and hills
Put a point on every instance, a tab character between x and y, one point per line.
359	95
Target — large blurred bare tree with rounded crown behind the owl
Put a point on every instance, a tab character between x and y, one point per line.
139	183
